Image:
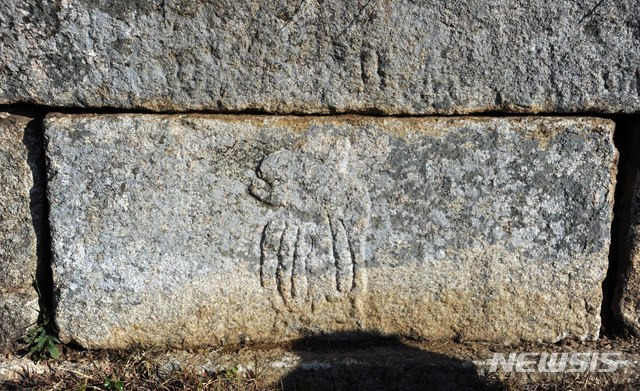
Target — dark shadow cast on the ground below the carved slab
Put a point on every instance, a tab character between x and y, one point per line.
369	361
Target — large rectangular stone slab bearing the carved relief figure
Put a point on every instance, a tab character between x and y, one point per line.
193	229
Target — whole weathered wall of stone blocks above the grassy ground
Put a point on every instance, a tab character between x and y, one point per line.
227	226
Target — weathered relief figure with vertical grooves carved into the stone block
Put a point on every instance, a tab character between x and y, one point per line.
315	247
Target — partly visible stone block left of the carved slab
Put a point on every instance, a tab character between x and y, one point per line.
18	241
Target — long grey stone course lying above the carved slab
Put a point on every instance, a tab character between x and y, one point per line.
399	56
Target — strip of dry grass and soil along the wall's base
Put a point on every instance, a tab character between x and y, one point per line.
320	364
